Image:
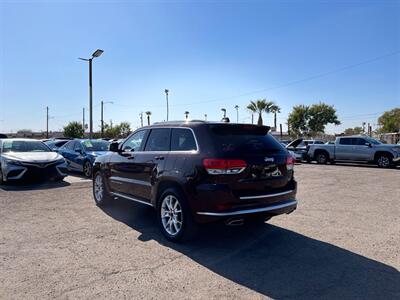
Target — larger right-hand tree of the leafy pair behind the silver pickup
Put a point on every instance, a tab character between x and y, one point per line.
320	115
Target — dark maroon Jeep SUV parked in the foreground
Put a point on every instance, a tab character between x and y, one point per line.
197	172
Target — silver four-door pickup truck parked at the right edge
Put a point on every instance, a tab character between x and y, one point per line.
356	148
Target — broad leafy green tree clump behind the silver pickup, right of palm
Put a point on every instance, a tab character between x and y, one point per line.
310	120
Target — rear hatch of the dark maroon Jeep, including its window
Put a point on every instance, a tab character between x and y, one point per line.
266	168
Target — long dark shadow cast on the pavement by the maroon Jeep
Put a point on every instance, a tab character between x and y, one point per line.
273	261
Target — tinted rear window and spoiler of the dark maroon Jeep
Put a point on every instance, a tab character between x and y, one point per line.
242	139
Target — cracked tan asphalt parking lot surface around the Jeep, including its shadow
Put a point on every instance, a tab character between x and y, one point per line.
341	243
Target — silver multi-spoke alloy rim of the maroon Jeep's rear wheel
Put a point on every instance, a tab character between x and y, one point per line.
171	215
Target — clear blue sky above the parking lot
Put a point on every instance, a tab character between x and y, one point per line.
210	54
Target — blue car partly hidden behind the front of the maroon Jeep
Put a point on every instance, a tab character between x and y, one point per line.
80	154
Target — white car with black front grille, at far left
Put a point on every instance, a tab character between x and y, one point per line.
29	159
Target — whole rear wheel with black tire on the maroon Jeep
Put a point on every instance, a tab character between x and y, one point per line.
175	217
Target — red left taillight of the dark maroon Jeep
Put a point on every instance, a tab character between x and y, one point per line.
216	166
